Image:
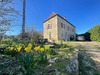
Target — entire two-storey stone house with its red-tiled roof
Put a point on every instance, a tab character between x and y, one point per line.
58	28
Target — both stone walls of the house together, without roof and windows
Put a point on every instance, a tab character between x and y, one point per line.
56	30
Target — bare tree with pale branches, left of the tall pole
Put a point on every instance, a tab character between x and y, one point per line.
8	15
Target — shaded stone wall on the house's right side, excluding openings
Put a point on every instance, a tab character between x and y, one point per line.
64	31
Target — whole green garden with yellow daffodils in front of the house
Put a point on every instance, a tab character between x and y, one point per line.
30	58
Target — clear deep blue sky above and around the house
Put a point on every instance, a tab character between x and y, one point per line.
83	14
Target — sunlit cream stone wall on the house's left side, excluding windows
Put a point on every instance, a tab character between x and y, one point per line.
53	29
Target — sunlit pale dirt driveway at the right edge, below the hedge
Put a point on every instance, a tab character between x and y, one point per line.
91	48
